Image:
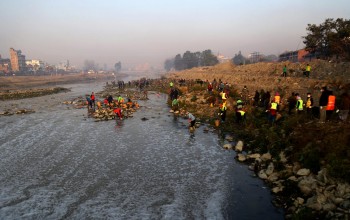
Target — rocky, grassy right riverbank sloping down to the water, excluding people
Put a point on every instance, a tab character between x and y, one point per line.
303	161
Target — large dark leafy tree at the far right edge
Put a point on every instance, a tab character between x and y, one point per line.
331	38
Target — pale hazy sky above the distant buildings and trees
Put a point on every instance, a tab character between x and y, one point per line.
149	31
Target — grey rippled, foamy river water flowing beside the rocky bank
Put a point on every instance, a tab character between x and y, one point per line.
57	163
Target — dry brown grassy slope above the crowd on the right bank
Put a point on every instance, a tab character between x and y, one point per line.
267	76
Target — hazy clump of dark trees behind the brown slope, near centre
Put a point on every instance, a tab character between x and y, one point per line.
189	60
